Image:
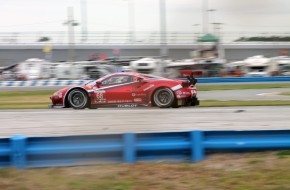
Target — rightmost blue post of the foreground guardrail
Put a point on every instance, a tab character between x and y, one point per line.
197	149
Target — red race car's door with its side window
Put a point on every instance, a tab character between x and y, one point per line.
117	89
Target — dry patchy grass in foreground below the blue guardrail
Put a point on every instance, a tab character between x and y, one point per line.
263	170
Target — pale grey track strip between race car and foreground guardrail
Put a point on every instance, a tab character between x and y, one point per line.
63	122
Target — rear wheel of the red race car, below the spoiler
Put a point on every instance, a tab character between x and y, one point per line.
164	98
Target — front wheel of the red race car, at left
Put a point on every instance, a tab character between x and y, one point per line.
78	99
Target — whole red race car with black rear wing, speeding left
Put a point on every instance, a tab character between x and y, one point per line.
128	90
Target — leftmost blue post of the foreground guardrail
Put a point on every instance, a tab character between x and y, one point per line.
18	155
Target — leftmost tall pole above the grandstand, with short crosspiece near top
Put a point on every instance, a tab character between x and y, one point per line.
71	23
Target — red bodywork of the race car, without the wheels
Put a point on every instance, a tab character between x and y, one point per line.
137	92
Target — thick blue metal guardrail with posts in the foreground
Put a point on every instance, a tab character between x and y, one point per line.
26	152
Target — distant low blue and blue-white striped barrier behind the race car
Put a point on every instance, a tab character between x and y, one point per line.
200	80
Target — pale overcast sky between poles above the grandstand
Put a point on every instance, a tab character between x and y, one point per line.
113	15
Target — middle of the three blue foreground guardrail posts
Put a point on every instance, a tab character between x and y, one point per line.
129	150
